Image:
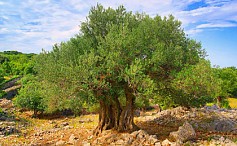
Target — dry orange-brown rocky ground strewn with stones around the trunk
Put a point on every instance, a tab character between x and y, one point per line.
178	126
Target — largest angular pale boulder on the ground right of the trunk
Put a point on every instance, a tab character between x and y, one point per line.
184	133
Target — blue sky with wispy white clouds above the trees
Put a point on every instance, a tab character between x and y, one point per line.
30	25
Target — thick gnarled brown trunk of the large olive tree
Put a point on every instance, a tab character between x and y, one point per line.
113	116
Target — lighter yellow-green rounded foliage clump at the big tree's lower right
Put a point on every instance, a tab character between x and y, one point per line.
196	85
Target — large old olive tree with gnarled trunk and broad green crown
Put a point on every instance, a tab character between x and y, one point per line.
117	58
